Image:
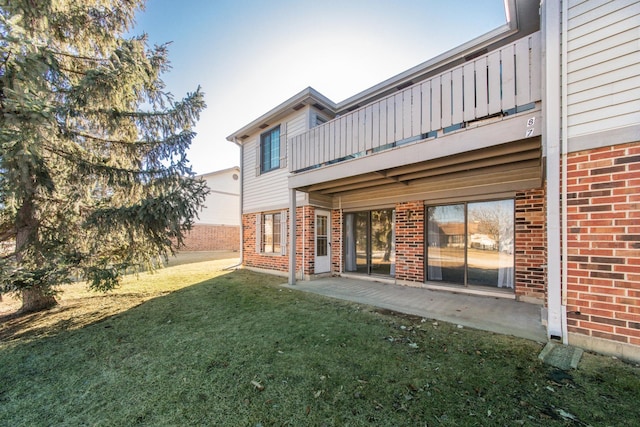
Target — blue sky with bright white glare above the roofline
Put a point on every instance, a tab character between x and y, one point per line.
248	56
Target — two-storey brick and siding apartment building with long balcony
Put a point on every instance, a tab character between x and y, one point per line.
509	166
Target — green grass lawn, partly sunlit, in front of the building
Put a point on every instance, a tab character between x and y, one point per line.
197	345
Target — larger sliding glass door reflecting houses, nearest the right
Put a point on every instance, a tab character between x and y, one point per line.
471	243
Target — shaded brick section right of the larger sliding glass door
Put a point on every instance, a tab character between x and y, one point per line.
531	244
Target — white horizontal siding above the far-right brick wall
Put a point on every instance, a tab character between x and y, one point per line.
603	66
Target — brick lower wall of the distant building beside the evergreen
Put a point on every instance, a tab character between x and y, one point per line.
203	237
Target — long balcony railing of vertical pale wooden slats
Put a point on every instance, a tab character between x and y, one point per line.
499	83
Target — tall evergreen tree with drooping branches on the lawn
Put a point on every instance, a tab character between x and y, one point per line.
94	177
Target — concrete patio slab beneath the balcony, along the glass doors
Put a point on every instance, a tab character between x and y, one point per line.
500	315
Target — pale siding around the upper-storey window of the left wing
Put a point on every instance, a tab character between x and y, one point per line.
268	191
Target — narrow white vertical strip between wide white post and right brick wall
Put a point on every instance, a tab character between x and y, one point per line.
564	165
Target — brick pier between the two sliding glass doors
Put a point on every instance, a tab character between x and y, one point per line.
410	222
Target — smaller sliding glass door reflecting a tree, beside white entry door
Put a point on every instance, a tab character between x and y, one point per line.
370	242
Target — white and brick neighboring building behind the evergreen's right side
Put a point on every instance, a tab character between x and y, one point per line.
218	225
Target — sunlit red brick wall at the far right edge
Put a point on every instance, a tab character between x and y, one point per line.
603	295
